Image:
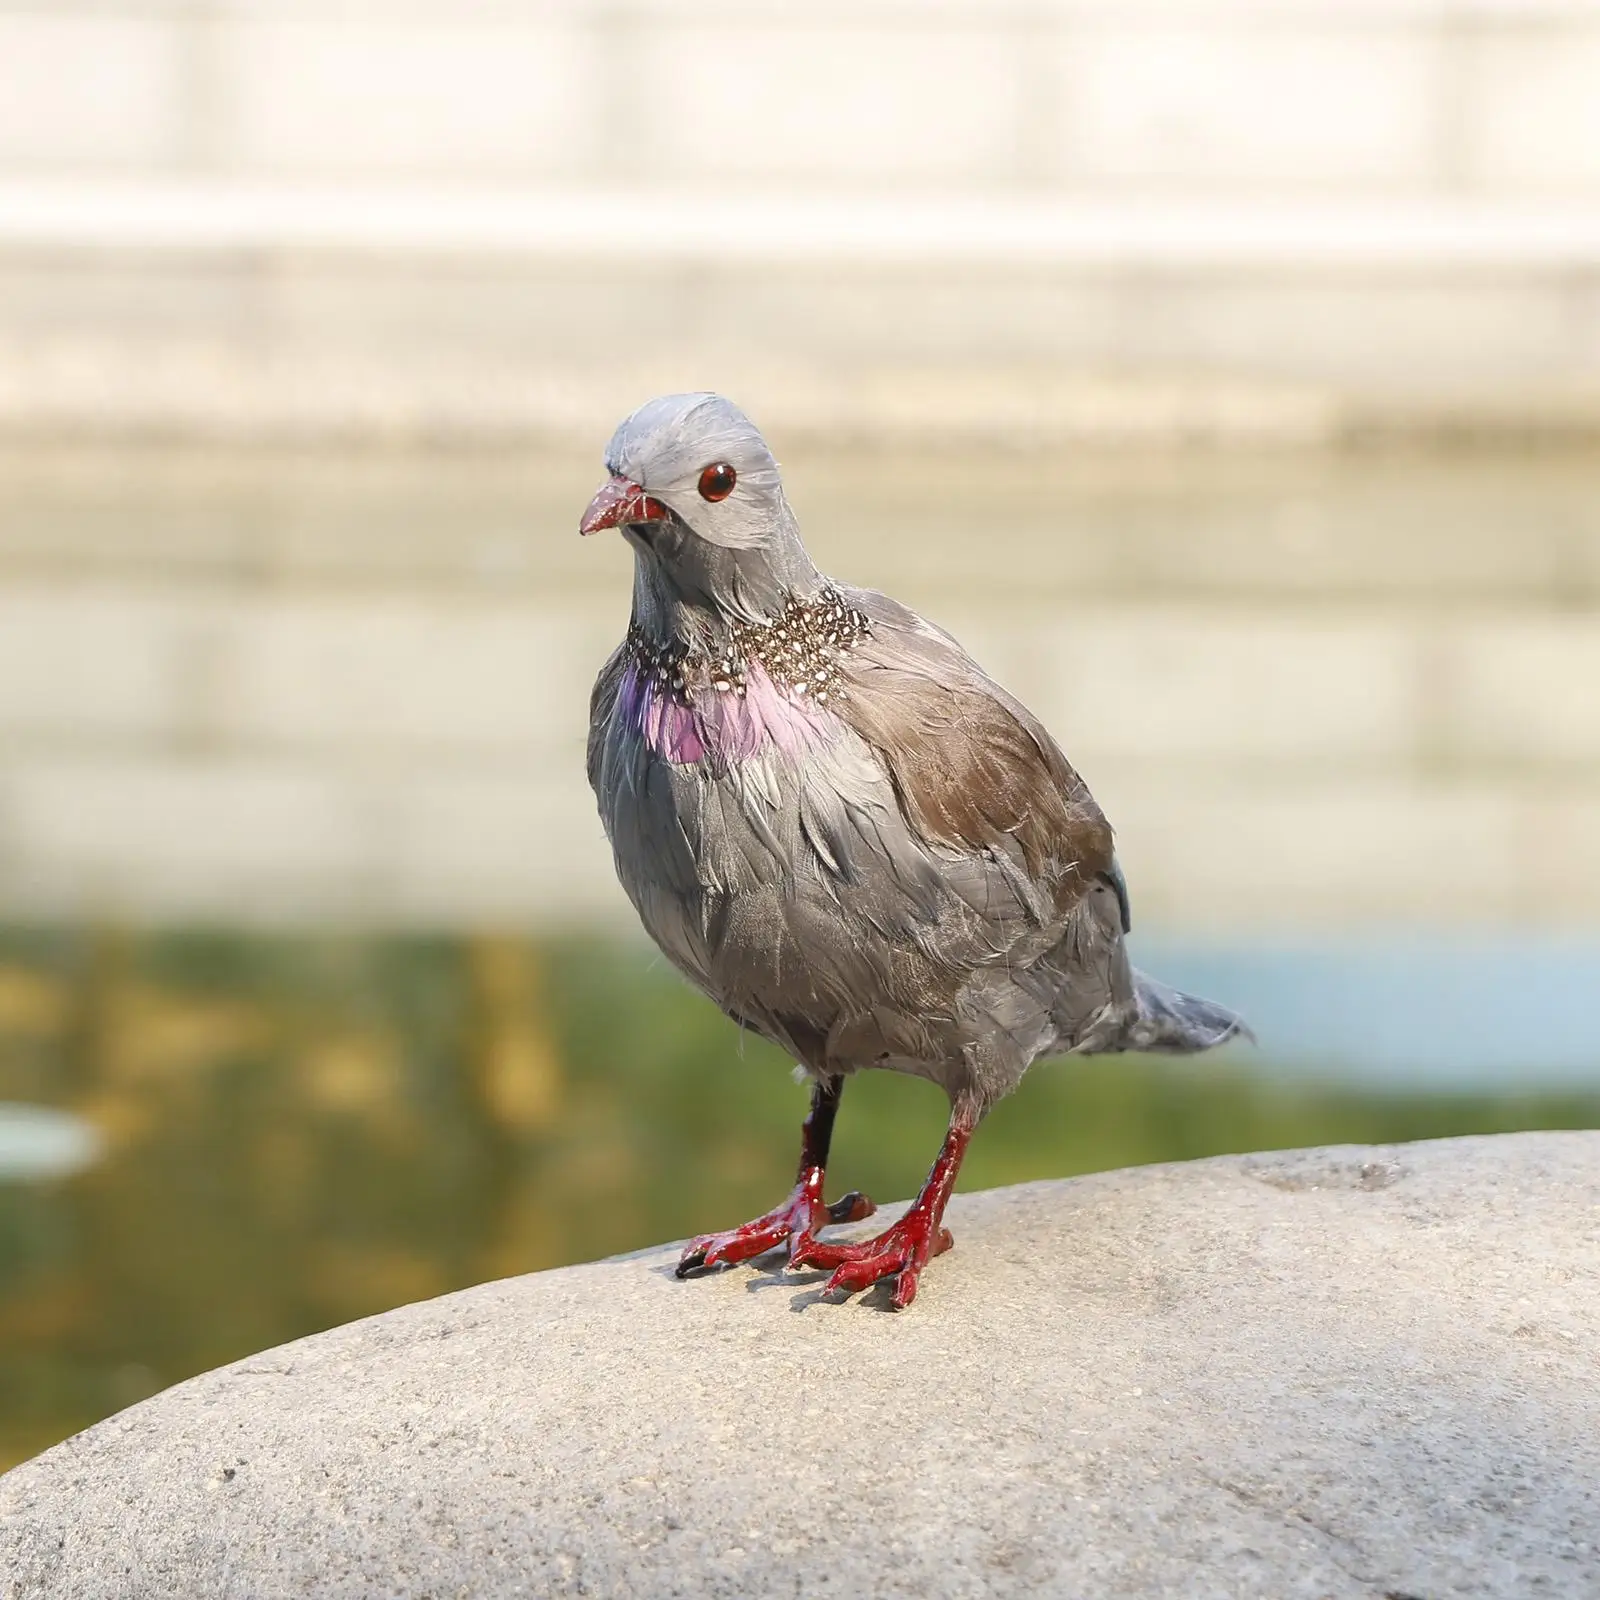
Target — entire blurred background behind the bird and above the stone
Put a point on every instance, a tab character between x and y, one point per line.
1225	374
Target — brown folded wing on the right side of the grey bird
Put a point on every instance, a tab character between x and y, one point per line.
972	767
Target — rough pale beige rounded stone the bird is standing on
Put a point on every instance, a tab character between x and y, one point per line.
1324	1374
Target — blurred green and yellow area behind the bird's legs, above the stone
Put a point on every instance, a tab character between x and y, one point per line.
308	1129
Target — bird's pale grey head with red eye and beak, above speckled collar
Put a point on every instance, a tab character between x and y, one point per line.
698	497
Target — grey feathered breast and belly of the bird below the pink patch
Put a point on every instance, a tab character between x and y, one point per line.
793	894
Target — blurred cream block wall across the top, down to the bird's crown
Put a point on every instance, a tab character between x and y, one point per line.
1254	218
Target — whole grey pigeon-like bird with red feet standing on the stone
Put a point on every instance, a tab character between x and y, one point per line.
844	833
